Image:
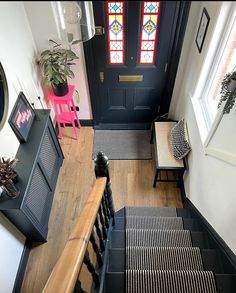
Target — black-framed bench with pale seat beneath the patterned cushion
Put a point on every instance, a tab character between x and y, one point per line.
164	158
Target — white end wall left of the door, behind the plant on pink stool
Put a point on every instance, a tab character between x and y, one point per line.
44	29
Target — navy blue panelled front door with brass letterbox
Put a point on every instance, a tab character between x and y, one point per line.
129	95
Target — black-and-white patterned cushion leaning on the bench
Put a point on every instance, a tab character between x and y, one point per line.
178	140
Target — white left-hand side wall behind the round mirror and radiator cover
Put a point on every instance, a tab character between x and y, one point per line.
17	55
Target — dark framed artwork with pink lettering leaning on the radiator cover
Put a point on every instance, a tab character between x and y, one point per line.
21	118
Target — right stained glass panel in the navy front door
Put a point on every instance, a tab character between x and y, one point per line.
149	28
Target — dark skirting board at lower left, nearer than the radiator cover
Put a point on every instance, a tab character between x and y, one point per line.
22	267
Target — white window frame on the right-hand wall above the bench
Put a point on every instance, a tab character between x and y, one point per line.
207	126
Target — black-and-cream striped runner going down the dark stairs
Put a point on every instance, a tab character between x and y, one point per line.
159	254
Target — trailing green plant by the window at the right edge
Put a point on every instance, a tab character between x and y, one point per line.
228	92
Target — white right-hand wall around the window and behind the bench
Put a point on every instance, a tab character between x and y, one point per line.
209	183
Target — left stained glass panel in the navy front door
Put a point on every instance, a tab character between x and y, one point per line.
115	15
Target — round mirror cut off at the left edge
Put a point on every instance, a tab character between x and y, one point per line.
3	97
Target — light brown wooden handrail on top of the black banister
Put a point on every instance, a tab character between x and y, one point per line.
65	273
